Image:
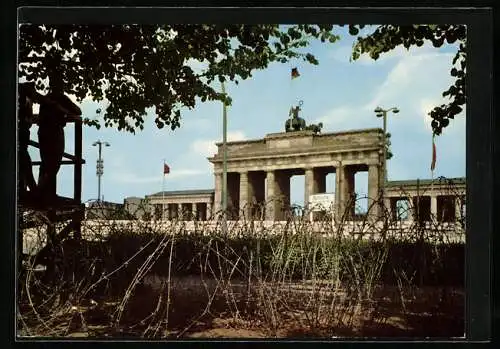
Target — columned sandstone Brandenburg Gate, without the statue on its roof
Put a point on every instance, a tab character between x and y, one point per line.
254	165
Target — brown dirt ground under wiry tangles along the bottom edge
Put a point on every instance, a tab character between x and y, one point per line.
299	310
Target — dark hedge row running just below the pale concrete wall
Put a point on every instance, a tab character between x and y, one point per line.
295	257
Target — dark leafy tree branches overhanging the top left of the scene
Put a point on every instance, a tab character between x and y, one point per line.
139	67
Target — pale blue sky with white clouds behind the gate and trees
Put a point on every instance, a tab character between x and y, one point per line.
337	92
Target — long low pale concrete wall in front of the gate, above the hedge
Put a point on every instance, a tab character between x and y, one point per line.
97	230
